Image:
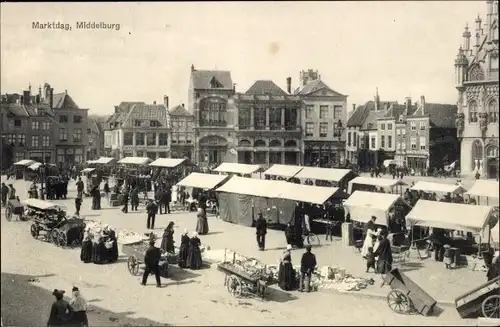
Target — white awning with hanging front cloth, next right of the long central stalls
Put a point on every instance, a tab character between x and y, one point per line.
362	205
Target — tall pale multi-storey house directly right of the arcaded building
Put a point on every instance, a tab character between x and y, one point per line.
323	120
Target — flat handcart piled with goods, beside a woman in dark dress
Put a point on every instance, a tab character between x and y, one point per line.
245	276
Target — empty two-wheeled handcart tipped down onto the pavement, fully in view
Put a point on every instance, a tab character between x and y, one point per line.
406	296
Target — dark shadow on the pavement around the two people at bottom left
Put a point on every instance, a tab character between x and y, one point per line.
25	304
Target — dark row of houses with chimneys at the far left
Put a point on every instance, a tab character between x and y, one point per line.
47	127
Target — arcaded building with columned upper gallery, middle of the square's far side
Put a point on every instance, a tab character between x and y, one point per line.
268	128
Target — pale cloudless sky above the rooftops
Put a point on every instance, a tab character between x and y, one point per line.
405	48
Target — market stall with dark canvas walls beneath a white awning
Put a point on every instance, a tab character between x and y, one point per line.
240	199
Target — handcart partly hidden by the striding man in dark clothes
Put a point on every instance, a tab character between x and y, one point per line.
135	262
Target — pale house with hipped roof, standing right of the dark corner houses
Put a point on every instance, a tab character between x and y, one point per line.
137	129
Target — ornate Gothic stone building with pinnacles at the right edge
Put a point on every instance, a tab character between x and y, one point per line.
476	79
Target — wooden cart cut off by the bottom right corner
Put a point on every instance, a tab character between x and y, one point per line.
483	300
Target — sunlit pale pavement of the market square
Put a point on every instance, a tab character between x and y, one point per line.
189	297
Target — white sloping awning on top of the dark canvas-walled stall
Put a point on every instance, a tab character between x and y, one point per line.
252	186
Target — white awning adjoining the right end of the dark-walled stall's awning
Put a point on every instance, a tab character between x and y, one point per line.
308	193
